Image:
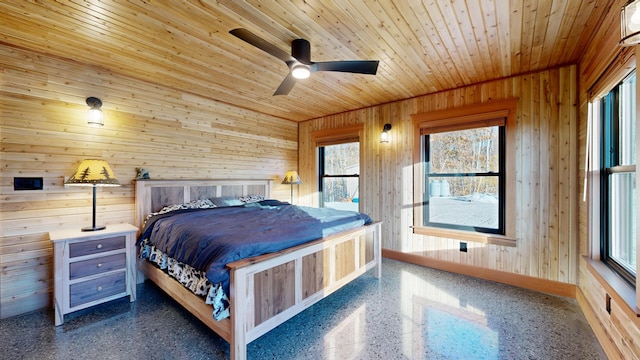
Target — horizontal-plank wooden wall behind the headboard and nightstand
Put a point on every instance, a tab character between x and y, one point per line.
171	133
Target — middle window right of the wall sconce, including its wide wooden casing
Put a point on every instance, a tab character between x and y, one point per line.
464	173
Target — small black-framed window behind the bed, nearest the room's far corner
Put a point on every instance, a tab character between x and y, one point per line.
339	180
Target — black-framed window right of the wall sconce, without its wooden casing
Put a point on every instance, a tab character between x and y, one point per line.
464	178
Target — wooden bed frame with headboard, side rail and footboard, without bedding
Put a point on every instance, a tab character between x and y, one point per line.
266	290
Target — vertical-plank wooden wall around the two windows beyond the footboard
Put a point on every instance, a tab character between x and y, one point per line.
546	174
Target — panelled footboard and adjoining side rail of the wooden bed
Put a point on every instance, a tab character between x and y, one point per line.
270	289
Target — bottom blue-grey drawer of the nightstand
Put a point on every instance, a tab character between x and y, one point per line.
87	291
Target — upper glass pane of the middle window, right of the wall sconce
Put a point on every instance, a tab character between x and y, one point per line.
465	151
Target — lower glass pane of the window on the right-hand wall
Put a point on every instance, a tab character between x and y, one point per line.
622	226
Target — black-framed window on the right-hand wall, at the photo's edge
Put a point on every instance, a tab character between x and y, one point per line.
617	111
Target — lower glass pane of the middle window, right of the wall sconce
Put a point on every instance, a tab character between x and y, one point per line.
464	201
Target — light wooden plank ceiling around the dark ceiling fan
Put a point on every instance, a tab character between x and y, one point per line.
423	46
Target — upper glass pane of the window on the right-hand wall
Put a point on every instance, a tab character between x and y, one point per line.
627	126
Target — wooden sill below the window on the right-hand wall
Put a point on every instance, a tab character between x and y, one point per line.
613	284
